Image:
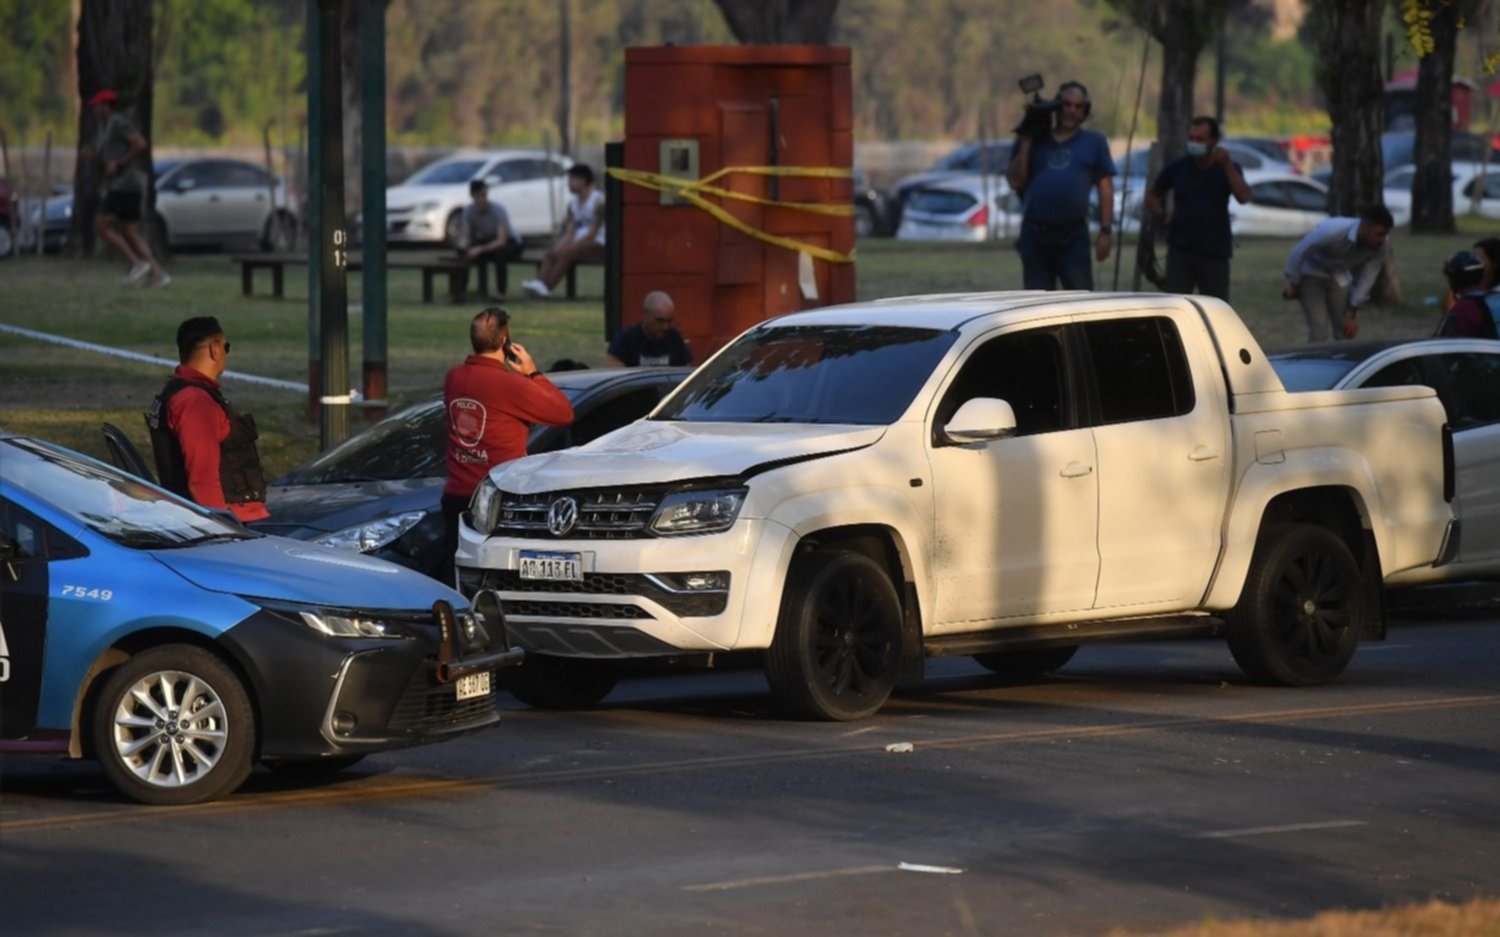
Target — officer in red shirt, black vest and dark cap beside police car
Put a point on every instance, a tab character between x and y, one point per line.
205	449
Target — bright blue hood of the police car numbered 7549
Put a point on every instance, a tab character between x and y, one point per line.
298	572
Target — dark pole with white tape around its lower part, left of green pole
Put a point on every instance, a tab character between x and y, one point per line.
334	296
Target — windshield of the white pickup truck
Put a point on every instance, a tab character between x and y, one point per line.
812	374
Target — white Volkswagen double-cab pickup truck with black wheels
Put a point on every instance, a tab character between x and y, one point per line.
850	491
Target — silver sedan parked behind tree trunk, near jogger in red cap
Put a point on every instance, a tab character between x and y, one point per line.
203	203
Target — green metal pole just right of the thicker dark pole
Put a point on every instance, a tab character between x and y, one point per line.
373	184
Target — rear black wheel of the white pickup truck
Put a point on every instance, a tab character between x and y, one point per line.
1298	618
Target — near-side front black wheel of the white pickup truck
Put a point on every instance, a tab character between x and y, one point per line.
838	644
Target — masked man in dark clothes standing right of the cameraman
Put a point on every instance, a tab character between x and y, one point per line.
1199	242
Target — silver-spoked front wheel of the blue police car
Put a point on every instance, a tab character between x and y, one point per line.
175	726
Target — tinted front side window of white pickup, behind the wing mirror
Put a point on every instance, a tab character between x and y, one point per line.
1024	370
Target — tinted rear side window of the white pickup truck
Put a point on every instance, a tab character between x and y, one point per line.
1139	370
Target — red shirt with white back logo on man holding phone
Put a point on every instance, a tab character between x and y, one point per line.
491	412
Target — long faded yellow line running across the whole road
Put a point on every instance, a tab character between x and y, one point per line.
442	786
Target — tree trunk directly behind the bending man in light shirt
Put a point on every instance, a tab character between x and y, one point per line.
1349	76
